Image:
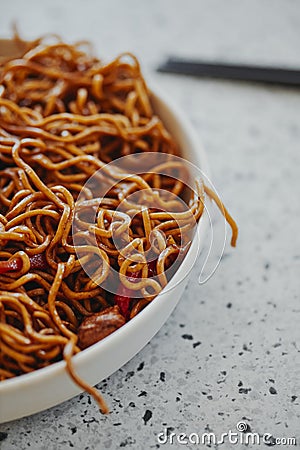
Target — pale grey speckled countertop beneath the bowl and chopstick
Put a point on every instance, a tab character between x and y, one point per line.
231	349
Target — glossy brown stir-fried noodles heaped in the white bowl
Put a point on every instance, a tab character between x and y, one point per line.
63	116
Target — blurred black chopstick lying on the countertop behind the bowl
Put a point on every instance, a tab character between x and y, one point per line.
274	75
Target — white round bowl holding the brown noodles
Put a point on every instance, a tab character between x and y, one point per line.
47	387
